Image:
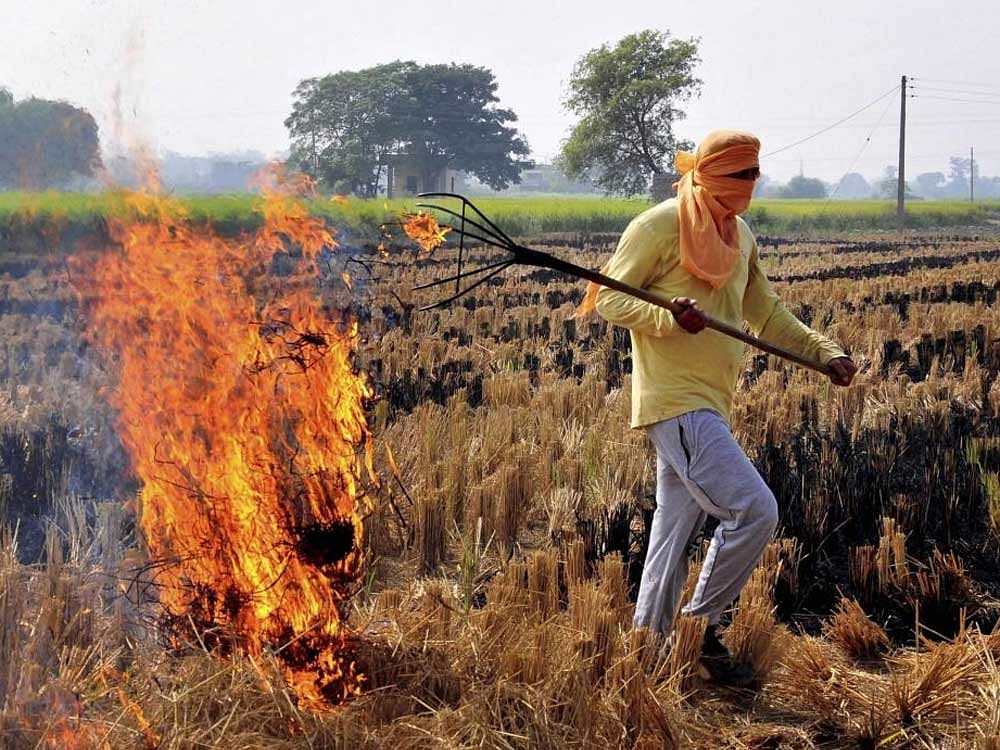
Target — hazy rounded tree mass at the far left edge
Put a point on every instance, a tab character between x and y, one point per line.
45	143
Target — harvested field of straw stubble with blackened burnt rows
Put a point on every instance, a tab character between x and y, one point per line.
508	522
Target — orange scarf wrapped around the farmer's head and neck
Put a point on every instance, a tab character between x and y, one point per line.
708	202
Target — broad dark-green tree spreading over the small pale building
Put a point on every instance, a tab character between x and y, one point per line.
345	126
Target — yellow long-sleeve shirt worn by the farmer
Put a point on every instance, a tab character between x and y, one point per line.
673	371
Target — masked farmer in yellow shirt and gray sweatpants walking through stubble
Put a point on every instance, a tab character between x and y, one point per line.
696	250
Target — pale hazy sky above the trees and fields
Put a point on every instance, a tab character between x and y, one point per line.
201	76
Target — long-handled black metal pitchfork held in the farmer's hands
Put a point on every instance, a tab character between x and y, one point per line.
483	229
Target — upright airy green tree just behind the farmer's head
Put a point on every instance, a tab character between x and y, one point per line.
627	99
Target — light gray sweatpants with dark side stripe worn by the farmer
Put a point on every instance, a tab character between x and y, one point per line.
700	470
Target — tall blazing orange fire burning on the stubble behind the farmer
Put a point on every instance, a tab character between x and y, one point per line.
243	416
